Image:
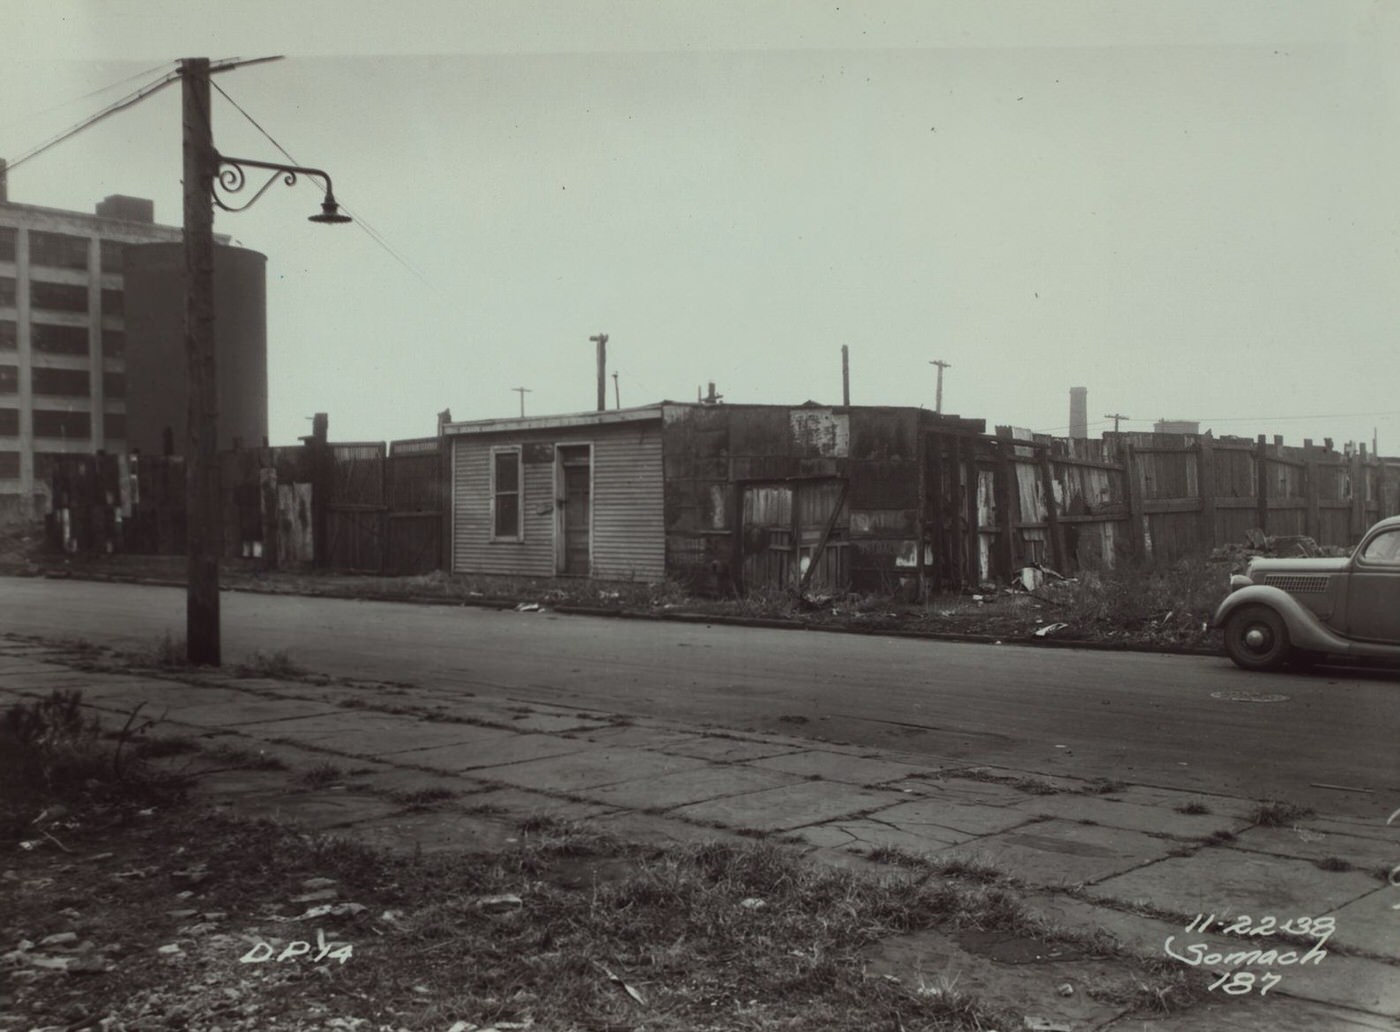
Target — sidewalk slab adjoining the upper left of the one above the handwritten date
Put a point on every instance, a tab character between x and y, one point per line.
1063	852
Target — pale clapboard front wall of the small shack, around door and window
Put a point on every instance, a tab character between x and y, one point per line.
628	503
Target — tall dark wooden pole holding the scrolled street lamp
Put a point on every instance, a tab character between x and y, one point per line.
205	534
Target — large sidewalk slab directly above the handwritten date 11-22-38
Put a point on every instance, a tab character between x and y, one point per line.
1227	881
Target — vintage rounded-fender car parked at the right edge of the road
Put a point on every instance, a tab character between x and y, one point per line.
1300	611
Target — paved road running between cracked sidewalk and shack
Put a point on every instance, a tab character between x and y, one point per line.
1326	740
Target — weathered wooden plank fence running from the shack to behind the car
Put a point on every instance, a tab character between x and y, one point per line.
1073	505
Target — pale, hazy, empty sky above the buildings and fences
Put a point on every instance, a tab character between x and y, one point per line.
1189	209
